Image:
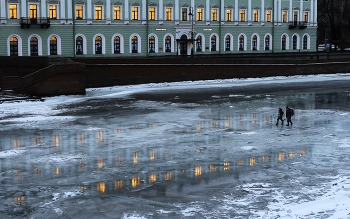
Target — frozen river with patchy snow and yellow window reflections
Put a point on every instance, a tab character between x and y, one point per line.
208	149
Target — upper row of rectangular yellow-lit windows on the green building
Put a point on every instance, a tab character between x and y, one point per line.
152	15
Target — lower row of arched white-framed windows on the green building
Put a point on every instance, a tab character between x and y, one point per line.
54	42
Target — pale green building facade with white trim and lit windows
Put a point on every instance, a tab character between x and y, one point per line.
124	28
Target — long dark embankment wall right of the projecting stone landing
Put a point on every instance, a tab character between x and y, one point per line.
109	72
